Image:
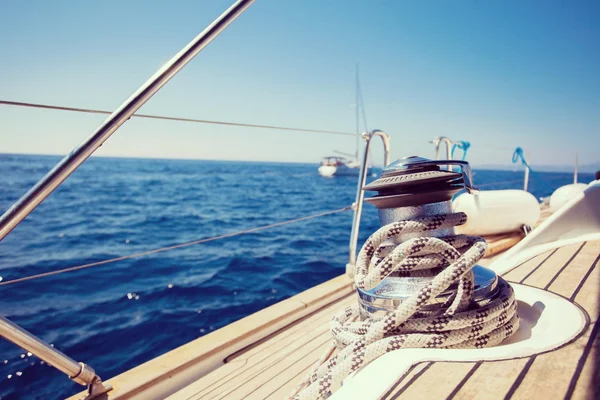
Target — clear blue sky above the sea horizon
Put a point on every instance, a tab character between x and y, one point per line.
496	73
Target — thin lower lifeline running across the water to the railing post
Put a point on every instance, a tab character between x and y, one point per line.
172	247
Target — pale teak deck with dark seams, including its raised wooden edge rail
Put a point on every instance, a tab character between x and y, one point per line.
264	355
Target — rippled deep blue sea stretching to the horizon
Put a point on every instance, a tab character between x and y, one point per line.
119	315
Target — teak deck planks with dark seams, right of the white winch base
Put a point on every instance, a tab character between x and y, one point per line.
541	376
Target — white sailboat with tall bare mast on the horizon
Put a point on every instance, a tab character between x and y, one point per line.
341	166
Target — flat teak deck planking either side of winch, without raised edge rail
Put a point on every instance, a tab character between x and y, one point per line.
271	368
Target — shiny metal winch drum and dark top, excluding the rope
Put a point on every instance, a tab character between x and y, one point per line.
416	187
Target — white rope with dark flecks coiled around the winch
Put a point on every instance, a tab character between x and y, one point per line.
460	323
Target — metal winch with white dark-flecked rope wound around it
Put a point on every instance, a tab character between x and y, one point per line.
418	283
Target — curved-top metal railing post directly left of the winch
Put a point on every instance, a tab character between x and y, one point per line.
360	194
